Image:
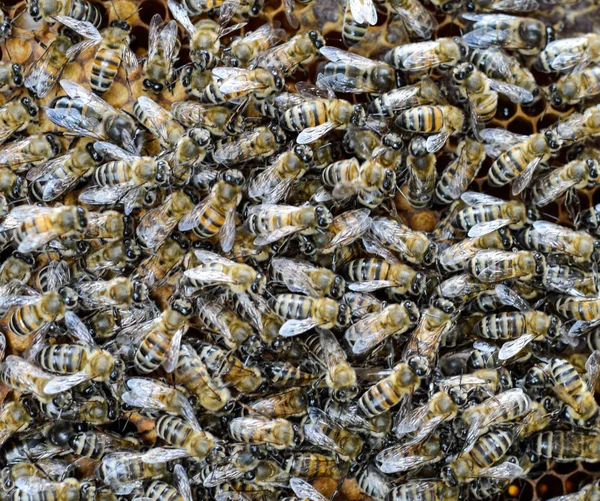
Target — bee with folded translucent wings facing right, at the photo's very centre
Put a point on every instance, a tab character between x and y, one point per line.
304	278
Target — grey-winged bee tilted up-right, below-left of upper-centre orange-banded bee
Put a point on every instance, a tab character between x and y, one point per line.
262	142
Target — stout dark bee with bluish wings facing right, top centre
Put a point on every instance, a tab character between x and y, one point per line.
351	73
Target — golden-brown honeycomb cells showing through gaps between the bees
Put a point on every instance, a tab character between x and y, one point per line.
27	44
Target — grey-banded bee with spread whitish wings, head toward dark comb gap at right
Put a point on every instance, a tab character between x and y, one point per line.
487	214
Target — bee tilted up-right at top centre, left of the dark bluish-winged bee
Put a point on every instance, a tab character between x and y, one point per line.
287	57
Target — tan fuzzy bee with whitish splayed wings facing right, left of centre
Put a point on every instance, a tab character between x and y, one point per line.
215	270
